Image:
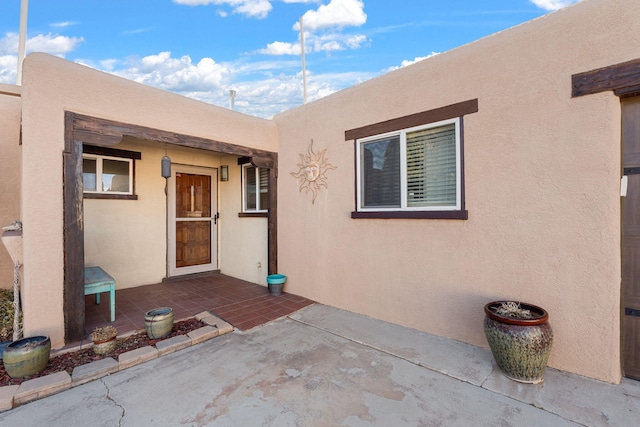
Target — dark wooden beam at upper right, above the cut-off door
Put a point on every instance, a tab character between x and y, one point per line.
615	77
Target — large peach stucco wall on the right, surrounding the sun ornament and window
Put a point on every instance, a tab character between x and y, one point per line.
542	174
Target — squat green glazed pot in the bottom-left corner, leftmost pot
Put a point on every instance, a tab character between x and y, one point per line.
27	356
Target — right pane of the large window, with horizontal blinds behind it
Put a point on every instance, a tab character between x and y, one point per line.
431	167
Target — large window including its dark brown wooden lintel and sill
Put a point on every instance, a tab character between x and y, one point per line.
412	172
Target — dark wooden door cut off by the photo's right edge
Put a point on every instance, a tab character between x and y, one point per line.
631	238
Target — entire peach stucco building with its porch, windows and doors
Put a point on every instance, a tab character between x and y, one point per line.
531	131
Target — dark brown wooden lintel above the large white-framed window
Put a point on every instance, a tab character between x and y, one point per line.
425	117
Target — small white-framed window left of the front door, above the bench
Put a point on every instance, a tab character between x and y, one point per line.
107	175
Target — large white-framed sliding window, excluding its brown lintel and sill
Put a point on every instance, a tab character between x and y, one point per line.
415	169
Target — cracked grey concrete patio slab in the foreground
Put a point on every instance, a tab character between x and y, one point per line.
301	371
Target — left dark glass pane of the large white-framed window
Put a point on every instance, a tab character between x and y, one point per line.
380	166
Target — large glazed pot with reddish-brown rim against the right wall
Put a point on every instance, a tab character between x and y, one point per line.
520	347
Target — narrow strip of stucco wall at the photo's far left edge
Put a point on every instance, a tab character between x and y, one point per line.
10	170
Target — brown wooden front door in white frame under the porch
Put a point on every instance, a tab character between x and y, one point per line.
193	220
